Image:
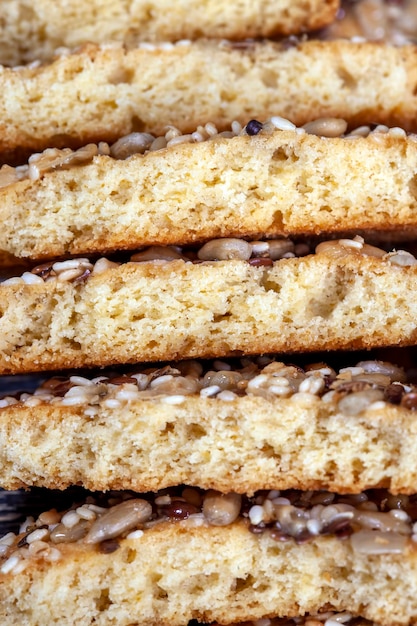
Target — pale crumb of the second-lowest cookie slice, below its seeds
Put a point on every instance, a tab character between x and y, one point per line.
241	444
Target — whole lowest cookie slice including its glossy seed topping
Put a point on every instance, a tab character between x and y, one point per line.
166	558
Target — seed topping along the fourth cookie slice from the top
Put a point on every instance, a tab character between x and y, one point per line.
256	253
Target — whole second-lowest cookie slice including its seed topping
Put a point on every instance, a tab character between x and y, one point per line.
232	428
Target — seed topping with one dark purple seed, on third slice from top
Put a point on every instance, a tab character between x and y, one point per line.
142	143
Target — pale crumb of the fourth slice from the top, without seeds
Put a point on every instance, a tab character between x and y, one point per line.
152	311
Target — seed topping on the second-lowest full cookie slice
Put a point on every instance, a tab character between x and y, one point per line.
367	385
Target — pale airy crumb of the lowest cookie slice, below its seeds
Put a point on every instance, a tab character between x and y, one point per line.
173	574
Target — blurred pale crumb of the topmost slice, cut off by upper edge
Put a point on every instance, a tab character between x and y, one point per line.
31	31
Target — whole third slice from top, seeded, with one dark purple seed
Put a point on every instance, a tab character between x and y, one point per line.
264	180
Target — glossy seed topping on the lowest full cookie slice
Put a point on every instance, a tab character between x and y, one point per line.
374	522
